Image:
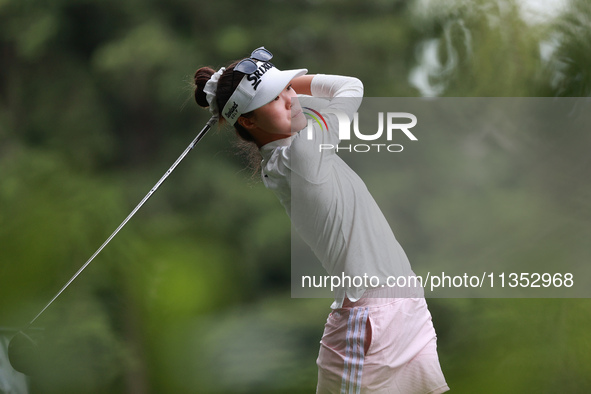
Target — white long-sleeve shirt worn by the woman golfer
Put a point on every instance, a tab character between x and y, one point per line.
328	203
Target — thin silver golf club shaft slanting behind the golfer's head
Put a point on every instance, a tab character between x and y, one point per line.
205	129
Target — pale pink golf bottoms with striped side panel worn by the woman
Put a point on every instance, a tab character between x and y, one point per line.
380	346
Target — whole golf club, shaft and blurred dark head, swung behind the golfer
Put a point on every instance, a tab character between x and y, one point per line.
22	345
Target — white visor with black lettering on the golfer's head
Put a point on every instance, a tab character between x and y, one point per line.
258	89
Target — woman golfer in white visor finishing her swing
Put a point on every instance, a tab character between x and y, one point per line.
378	339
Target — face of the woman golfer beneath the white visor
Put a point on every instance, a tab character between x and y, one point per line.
280	118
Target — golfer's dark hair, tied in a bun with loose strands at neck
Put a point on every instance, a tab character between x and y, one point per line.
227	83
